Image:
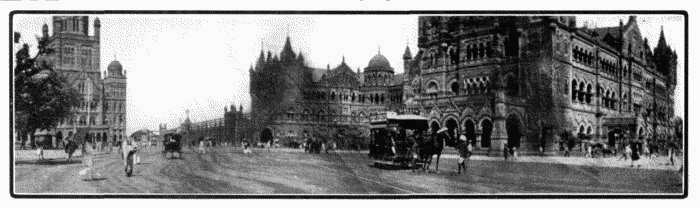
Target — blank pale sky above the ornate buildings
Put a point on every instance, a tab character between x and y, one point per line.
201	62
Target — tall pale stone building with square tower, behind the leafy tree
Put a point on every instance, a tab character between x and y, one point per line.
102	110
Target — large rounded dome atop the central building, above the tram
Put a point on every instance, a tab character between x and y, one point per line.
378	71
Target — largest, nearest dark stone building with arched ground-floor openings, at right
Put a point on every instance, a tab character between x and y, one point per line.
525	80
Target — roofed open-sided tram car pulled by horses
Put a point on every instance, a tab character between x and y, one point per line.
394	139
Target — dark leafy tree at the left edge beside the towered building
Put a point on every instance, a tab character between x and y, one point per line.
42	97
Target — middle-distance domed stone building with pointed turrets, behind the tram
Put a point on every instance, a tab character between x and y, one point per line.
292	101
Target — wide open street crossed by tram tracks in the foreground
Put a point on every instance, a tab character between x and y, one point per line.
287	171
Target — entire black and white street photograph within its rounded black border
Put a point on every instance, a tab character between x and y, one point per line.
348	104
